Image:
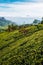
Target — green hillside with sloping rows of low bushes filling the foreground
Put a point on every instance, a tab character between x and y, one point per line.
22	49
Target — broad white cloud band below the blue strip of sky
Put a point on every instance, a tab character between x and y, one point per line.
21	10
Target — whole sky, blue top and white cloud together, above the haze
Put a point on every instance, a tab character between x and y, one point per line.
21	8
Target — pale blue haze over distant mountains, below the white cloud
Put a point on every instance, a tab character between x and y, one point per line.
22	20
